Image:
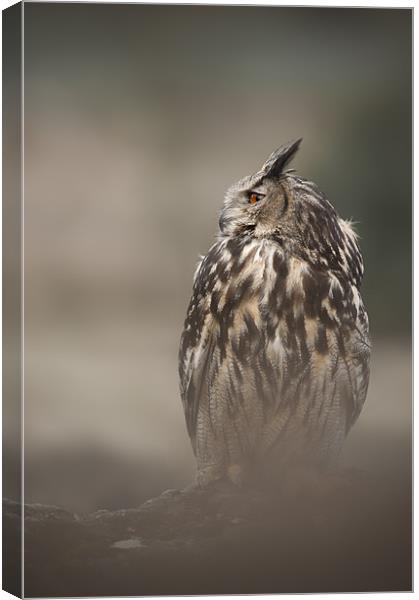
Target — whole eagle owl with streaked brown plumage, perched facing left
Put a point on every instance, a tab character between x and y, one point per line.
274	355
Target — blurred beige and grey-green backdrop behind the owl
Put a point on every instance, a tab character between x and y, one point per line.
137	118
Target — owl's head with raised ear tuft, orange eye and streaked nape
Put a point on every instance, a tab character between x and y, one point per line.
276	204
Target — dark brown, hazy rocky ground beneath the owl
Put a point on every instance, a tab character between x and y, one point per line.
341	533
